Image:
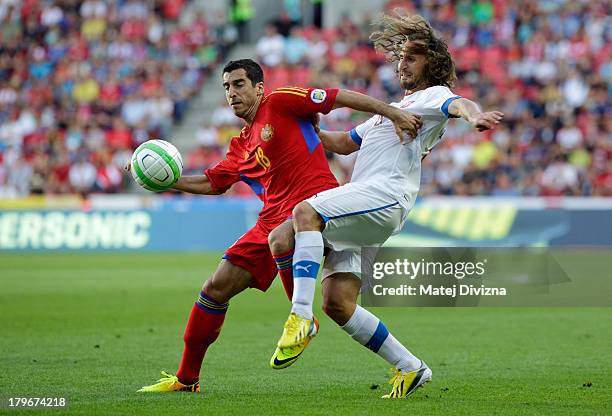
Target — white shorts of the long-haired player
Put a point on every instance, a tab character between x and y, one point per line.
356	215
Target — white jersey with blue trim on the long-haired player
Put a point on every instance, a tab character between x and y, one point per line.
395	168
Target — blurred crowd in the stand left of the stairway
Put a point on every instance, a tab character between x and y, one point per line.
82	83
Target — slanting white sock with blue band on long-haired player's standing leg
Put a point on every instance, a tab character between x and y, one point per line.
365	328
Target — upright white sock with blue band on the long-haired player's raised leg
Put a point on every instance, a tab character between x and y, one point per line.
307	258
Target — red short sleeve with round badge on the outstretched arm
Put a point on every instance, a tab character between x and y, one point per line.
304	102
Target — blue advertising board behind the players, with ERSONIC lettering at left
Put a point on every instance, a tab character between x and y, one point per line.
206	224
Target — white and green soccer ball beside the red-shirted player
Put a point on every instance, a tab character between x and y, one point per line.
156	165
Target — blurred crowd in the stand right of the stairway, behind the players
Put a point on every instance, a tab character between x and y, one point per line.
545	63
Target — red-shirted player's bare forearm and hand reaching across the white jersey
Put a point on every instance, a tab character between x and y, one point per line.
405	122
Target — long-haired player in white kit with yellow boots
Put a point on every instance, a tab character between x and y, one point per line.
375	204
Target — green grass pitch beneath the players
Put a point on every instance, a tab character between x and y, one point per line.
95	328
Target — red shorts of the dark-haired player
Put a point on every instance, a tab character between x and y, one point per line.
252	253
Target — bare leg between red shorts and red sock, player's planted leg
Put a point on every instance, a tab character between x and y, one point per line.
227	281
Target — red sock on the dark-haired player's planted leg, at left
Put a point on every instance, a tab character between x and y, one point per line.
203	329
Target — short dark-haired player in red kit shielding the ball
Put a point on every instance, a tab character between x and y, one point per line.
279	154
